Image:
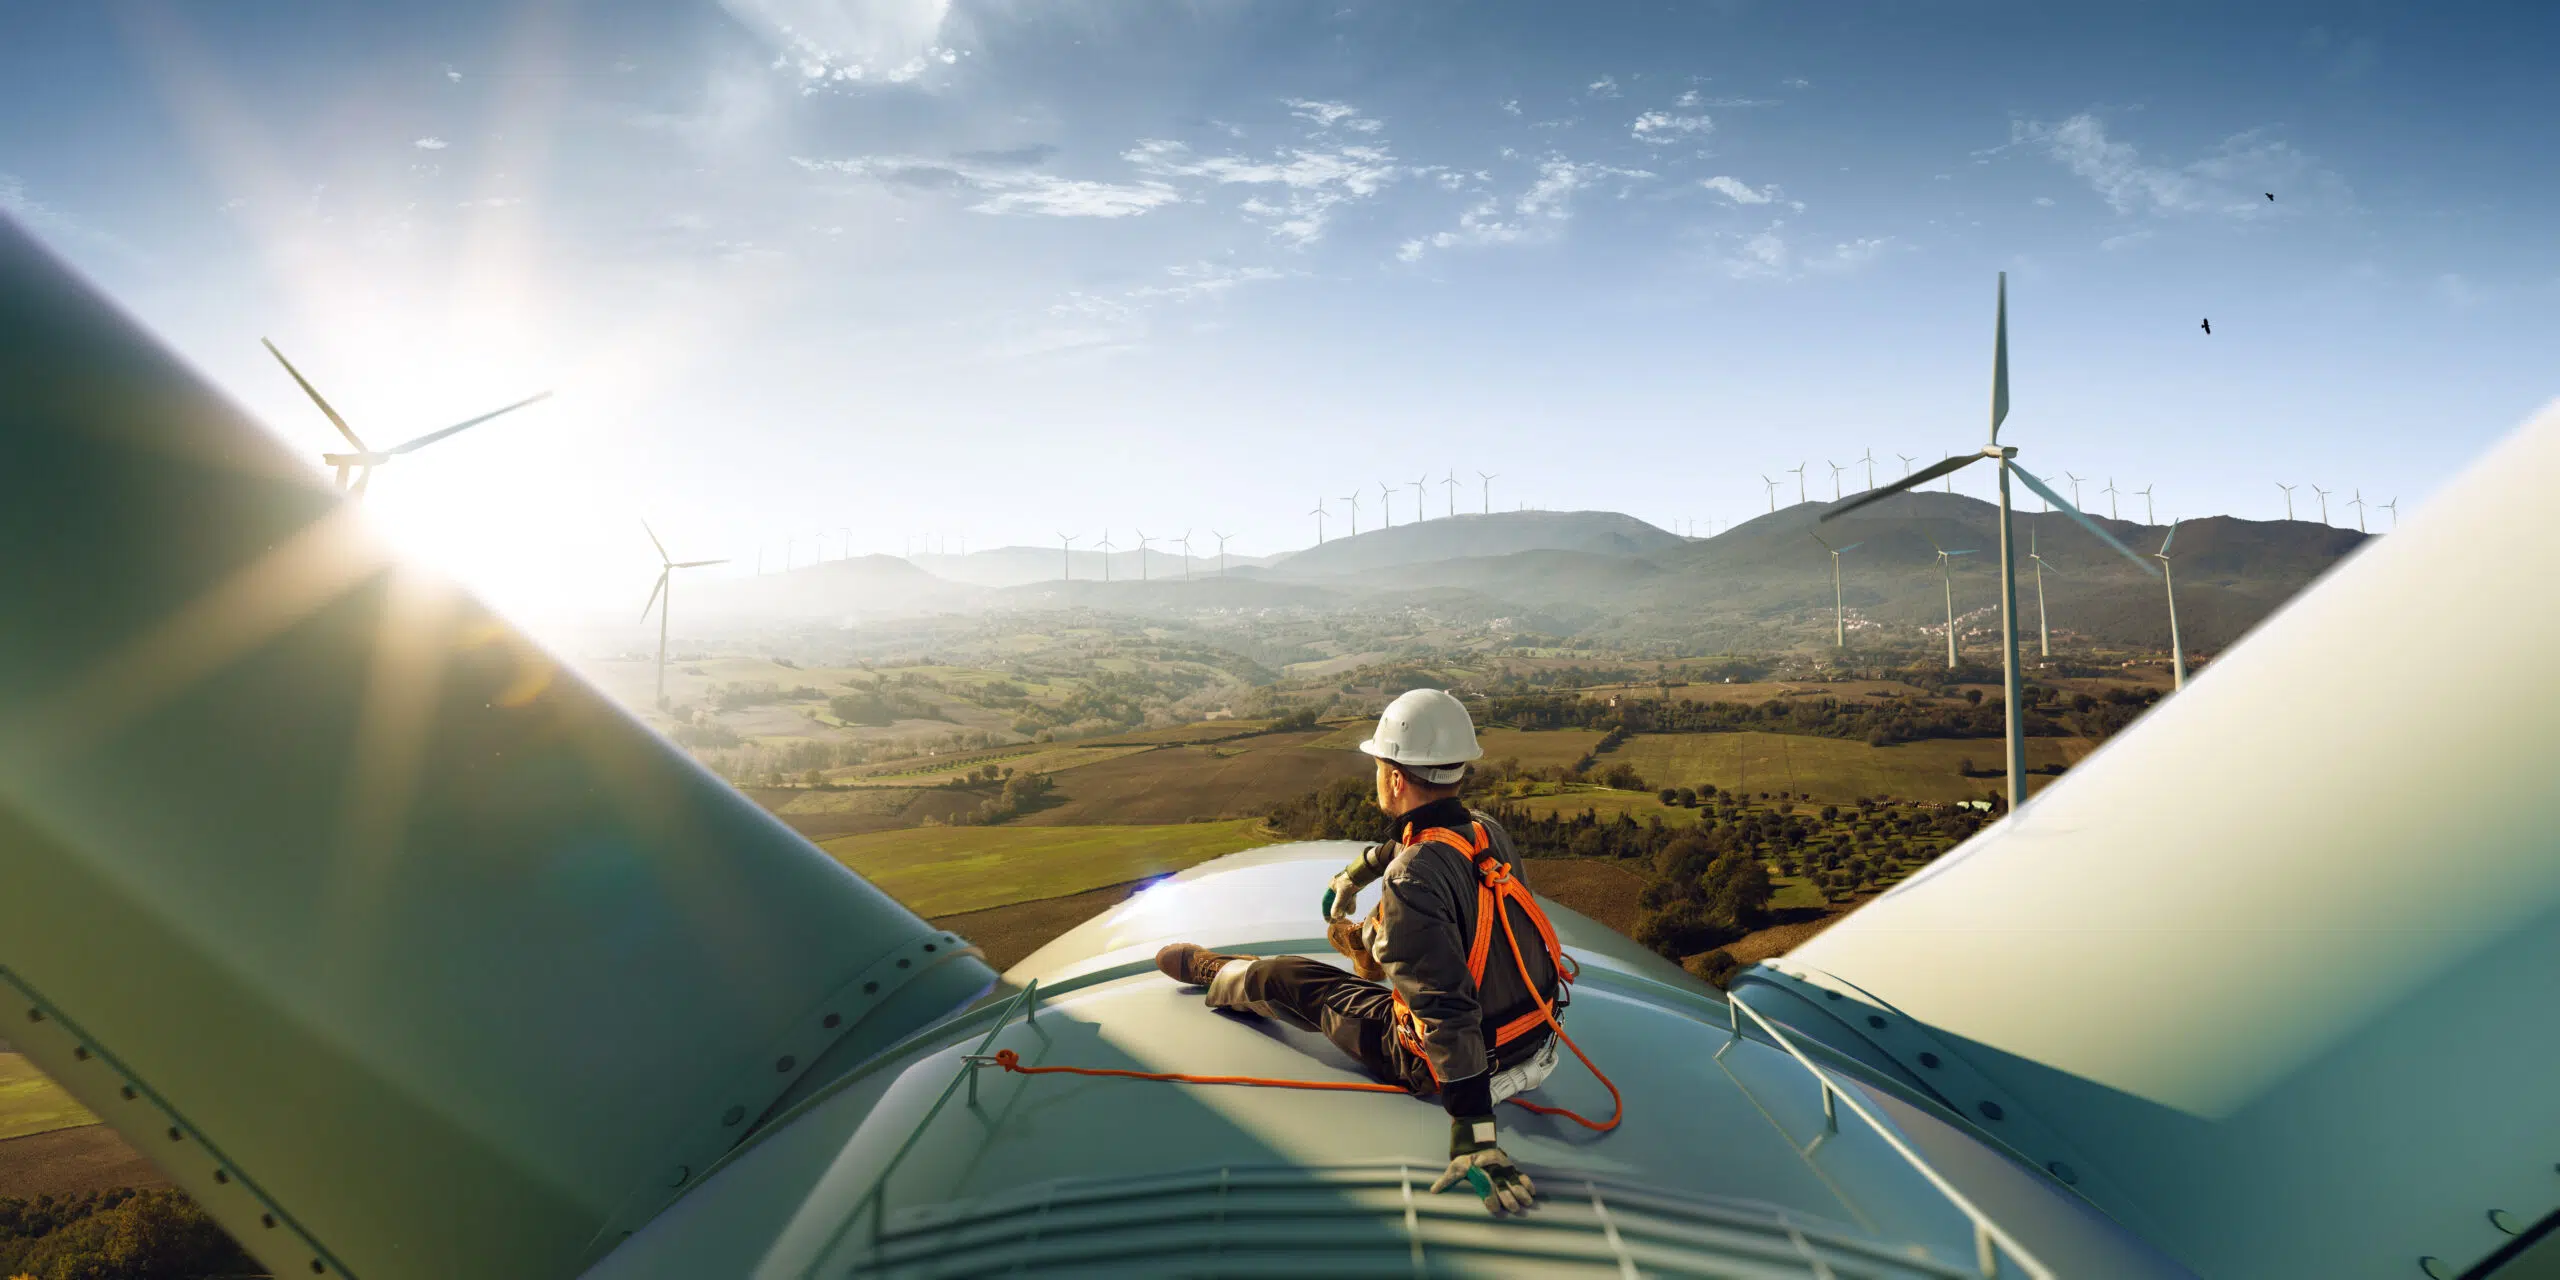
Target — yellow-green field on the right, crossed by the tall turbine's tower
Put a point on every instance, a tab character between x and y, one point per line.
1829	767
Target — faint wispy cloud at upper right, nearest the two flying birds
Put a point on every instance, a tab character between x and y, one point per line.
2226	183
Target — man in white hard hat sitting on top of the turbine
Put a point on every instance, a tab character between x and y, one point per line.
1420	1015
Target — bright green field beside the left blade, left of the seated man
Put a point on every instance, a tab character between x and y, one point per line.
941	872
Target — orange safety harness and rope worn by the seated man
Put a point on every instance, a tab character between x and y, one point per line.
1496	890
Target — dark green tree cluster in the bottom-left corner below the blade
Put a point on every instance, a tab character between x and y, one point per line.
116	1235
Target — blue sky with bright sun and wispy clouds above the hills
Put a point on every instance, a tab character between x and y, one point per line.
867	273
